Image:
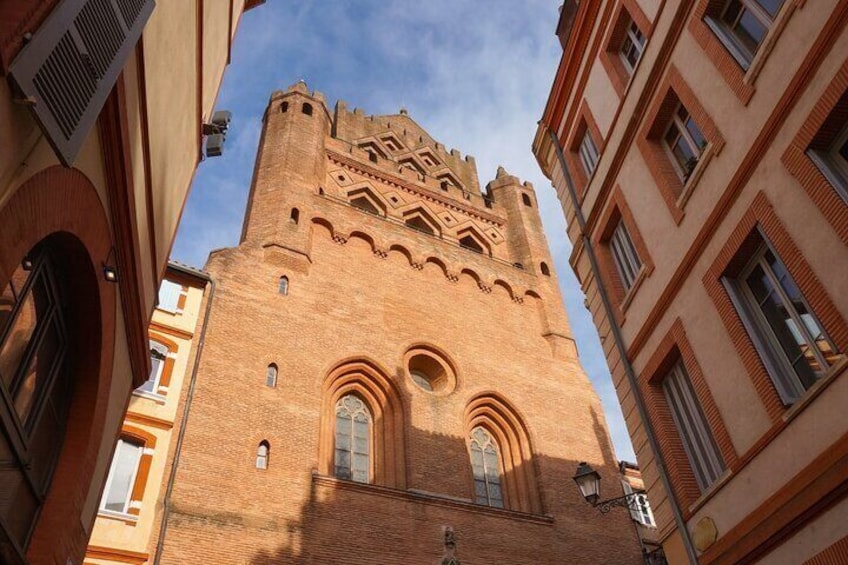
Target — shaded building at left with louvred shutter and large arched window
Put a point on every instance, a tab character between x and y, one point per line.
102	112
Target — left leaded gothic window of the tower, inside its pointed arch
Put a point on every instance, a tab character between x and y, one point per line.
353	440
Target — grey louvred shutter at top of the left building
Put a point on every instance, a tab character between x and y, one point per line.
70	65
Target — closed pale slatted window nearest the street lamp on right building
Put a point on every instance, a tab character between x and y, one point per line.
695	434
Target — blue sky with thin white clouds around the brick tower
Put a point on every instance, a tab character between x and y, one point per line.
476	75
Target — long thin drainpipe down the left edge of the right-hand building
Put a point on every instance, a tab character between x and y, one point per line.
622	351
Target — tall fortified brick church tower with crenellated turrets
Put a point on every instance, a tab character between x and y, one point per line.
388	374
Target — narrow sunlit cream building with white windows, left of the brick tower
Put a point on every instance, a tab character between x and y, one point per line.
129	513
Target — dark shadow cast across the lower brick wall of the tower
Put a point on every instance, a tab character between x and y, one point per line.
342	522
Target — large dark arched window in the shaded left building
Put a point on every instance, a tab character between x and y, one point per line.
36	386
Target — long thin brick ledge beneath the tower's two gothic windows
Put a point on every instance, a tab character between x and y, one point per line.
429	498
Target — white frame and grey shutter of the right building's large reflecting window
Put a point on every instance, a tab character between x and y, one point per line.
787	382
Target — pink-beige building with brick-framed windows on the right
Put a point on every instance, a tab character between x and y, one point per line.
698	150
